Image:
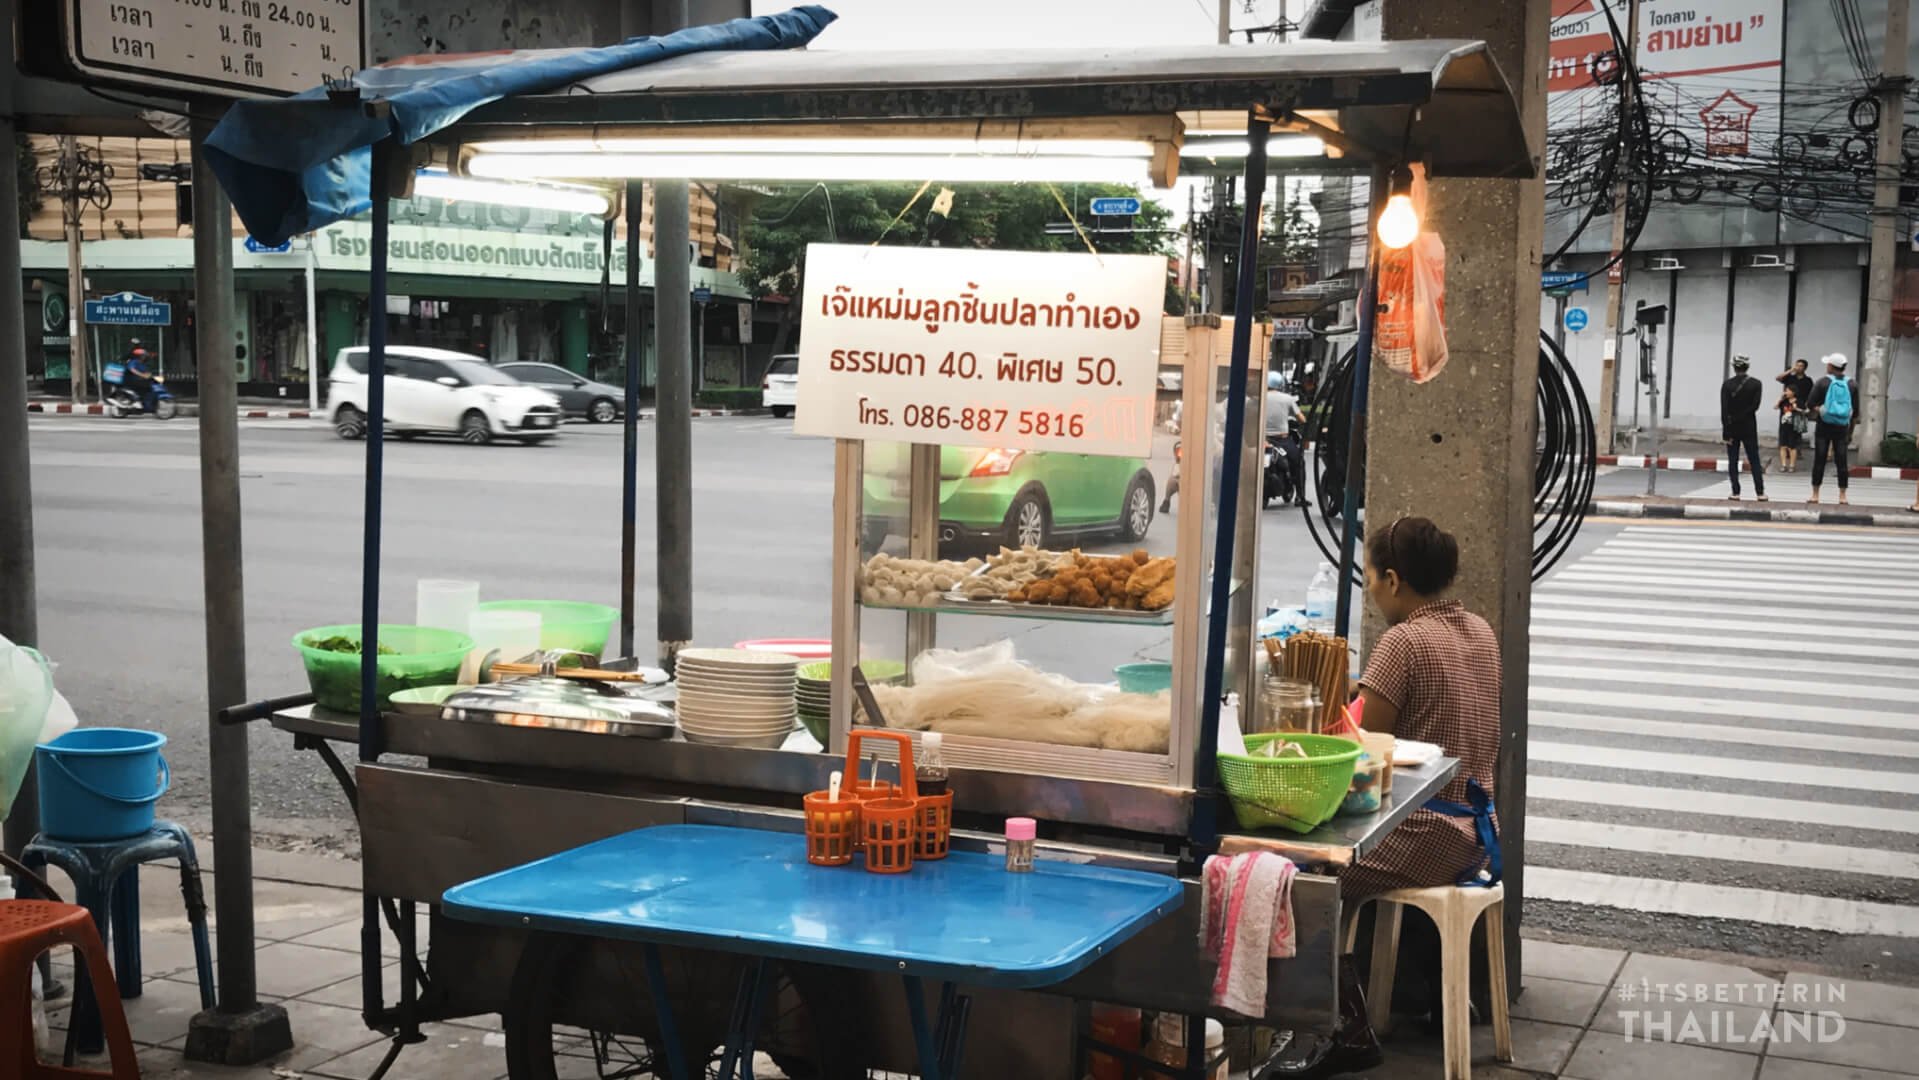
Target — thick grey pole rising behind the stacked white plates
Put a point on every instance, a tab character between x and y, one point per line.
673	335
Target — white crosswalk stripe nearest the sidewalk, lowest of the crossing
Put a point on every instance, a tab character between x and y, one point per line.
1763	851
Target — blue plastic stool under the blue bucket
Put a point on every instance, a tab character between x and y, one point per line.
107	878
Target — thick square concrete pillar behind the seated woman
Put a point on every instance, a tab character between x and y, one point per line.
1461	448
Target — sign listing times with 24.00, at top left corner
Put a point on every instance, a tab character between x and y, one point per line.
229	47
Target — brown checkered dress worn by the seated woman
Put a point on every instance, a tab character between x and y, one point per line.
1442	670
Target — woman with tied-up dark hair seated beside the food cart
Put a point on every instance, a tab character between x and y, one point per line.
1433	678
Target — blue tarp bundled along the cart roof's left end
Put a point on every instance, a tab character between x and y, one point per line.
298	164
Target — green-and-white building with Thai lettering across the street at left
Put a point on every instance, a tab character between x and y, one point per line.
494	281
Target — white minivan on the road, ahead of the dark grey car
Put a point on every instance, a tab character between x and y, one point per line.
437	390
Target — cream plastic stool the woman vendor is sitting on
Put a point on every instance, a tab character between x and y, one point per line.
1456	910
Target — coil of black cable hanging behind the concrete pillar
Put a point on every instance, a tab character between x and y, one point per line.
1565	467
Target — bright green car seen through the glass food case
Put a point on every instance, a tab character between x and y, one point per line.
1012	498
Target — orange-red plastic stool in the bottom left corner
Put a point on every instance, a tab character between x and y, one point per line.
30	927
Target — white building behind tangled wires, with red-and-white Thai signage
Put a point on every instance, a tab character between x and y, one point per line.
1757	237
